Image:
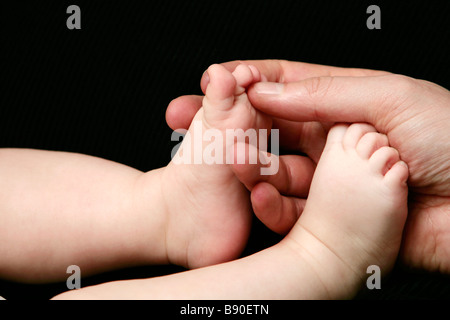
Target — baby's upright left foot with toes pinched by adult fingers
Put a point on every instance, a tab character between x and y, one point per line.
210	220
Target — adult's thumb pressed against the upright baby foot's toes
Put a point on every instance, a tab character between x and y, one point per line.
332	99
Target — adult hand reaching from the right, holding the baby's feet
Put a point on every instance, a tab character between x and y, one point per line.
414	114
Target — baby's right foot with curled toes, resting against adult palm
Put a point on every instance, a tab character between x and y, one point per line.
357	205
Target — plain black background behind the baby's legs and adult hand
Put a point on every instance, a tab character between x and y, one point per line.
103	90
